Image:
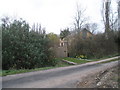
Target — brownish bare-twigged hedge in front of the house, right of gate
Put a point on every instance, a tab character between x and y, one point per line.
96	47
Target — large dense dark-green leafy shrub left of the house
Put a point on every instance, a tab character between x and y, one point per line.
23	48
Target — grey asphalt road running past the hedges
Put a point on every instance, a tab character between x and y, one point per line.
63	77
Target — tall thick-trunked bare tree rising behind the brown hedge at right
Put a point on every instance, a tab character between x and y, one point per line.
109	17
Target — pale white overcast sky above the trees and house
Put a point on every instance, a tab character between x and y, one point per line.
52	14
